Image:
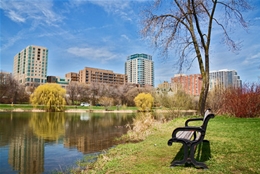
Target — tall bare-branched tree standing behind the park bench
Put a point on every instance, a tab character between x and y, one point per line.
186	26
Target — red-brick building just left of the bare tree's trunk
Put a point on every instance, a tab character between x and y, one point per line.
191	84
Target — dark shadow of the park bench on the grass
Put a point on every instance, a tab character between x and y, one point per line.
202	154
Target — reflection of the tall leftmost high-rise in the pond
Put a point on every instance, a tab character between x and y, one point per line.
26	154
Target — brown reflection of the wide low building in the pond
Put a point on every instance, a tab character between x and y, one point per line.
95	134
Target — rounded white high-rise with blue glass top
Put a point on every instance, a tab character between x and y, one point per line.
139	69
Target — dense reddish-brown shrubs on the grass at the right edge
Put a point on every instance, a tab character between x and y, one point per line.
239	102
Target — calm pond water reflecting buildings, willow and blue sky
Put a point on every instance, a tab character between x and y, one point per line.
49	142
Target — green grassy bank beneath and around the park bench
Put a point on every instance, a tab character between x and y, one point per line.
233	148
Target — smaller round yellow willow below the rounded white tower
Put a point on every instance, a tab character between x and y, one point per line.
144	101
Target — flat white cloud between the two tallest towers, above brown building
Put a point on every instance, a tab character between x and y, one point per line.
99	54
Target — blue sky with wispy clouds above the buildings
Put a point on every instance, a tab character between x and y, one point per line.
101	34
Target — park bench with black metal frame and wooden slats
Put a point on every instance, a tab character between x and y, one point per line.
190	137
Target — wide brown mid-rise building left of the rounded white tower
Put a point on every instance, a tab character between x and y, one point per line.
94	75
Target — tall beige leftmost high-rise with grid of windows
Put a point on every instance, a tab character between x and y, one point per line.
30	65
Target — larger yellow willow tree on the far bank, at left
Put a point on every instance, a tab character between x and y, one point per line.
51	95
